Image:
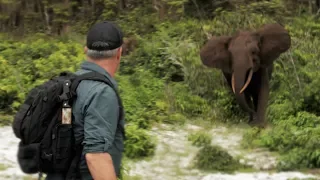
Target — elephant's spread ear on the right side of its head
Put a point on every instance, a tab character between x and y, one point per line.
275	39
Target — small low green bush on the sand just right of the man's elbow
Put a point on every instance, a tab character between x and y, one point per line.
139	143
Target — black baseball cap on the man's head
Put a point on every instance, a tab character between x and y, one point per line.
104	36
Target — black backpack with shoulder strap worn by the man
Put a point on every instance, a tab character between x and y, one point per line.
46	144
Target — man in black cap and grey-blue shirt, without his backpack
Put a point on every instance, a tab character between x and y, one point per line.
96	109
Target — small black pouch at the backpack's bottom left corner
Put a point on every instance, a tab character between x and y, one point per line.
28	157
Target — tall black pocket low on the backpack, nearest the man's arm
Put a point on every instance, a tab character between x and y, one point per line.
64	151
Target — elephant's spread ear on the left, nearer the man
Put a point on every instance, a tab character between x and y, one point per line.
215	53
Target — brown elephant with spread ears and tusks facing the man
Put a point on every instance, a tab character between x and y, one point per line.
246	60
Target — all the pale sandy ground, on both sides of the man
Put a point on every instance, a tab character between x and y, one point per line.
173	158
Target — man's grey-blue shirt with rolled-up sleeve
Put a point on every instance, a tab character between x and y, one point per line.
95	119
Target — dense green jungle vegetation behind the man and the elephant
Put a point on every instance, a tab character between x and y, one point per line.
161	77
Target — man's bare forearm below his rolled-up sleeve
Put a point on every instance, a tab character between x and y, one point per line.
101	166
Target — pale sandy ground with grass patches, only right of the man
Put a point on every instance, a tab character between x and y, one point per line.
174	155
